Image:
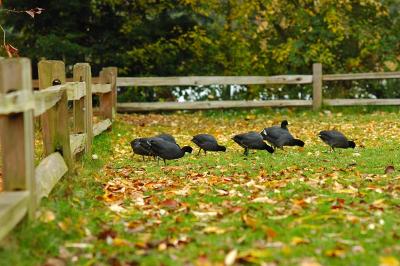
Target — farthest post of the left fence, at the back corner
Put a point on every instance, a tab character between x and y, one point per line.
108	101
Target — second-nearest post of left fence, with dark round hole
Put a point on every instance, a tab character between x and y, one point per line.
55	122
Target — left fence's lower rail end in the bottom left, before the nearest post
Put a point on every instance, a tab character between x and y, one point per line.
13	208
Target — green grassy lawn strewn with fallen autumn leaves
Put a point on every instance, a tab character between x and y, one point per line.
299	206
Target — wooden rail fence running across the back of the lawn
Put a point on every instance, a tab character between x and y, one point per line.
316	79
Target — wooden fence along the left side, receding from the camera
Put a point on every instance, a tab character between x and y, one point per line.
24	184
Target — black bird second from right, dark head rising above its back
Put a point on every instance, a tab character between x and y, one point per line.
280	136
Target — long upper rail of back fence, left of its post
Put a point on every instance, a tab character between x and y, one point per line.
212	80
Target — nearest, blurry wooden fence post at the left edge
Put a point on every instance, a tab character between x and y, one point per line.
17	132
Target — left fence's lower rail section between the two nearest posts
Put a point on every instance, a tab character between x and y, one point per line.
48	173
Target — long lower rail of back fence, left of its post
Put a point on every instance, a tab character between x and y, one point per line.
157	106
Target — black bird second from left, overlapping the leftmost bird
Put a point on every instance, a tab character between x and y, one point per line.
167	150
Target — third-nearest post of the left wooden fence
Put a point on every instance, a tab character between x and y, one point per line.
83	110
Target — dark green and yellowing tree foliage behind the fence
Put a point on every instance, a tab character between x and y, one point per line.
214	37
